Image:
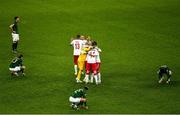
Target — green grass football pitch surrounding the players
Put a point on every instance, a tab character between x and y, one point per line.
136	37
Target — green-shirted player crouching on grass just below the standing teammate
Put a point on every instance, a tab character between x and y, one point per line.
17	66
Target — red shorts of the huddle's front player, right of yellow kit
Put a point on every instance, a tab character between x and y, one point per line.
91	66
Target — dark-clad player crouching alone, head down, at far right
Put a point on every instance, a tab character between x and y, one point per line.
164	71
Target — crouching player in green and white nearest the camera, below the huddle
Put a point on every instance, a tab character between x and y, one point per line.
78	99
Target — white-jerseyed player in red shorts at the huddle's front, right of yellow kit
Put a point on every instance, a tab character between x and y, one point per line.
91	64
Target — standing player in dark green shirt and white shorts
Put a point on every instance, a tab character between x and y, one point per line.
15	34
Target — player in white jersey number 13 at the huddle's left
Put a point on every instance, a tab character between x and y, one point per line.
77	45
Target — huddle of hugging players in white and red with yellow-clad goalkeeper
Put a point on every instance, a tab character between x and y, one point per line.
86	56
